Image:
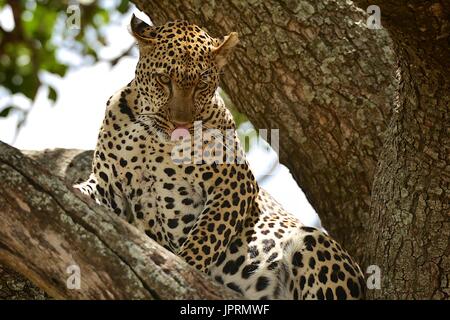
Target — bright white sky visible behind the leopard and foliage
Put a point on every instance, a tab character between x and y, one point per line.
73	121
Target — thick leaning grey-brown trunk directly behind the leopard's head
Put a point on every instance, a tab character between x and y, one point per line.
314	71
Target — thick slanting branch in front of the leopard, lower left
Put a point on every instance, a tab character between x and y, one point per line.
45	228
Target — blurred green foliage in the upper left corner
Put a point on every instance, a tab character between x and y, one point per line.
31	46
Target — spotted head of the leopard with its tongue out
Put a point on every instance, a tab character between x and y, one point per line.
178	73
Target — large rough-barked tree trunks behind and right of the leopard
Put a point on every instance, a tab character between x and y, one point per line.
375	169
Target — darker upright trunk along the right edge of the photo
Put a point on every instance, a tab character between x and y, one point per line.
409	225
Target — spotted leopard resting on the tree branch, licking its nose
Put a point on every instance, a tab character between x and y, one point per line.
198	197
